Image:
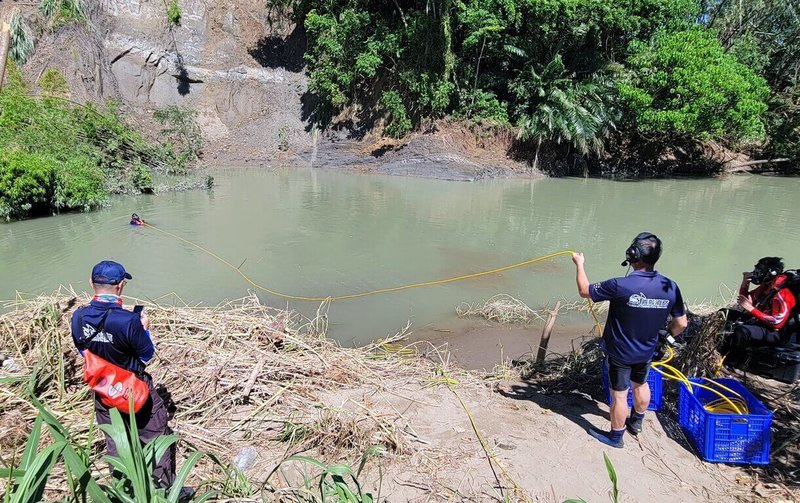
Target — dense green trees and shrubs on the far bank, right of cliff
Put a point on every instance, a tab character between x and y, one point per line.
567	73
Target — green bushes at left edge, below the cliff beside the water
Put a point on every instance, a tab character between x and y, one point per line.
56	155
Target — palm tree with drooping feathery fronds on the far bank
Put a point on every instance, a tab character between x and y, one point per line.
556	106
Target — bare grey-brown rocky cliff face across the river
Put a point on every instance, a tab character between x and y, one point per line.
227	60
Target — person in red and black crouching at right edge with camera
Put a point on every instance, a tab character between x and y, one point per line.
765	309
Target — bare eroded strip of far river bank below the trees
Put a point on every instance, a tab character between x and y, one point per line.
465	151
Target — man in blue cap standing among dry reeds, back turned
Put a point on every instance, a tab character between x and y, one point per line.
123	338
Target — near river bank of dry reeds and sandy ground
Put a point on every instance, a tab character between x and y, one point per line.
242	375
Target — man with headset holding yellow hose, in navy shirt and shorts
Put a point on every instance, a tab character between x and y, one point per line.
640	304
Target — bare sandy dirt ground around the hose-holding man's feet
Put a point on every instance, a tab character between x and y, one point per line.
540	440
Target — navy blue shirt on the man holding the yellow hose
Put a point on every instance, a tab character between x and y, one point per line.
640	303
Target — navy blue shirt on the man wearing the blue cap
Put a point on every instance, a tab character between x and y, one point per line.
123	340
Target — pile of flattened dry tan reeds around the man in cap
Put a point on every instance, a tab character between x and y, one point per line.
207	368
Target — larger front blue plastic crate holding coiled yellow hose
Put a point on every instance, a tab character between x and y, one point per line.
725	438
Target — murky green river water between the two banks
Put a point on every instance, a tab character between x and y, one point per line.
314	233
